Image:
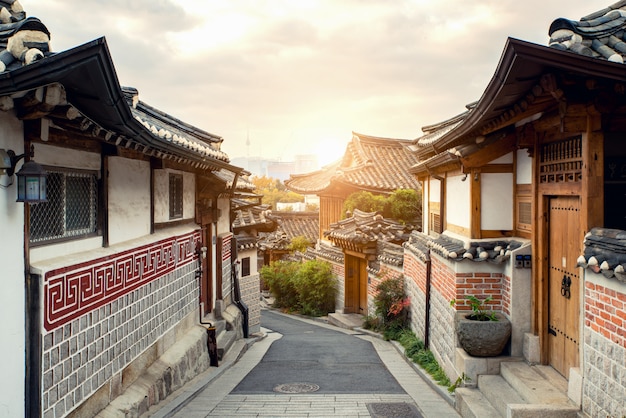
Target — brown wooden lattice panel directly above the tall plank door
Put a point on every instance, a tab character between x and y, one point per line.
561	162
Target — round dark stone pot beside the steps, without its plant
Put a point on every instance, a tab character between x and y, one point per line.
482	338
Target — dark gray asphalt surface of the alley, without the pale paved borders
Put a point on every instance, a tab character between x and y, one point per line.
307	353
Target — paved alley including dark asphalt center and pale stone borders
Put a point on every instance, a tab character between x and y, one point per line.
305	368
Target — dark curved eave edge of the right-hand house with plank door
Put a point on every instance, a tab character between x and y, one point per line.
523	63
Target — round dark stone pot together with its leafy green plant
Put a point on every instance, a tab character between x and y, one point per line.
482	333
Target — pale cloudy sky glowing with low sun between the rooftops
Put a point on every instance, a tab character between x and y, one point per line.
298	76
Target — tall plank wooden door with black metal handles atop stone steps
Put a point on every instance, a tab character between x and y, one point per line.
564	283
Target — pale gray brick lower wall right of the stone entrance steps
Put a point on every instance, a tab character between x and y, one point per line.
604	385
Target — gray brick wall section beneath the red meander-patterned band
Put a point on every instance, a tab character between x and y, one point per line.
81	356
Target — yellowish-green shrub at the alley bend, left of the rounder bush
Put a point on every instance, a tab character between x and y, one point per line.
280	278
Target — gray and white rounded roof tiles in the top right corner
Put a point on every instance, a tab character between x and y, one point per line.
598	35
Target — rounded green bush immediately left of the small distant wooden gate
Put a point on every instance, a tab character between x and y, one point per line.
316	287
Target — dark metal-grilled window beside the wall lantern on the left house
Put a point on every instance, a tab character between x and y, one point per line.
71	210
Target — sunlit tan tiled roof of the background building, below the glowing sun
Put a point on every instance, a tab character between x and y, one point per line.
369	163
